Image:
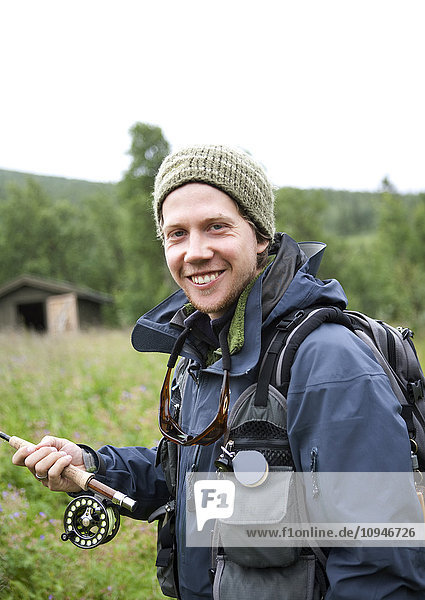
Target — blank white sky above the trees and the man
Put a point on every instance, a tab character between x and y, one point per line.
325	93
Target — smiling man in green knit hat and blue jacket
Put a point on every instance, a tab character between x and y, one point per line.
214	212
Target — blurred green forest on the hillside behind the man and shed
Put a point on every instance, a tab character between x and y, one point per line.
102	236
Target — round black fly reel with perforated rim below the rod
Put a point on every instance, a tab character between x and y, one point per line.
89	522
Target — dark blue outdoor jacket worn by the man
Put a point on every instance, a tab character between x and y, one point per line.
339	401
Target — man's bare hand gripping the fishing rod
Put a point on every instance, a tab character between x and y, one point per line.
48	459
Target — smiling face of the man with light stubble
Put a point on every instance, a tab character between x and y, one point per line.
211	250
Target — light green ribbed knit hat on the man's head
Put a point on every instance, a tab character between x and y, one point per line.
230	170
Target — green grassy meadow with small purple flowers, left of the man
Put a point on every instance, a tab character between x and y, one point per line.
92	388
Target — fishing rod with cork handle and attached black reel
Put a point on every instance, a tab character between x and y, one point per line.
89	520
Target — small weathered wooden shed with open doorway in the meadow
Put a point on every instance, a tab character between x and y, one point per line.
45	305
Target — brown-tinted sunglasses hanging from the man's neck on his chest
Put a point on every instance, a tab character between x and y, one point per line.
172	430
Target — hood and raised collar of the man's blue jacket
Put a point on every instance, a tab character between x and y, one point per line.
287	284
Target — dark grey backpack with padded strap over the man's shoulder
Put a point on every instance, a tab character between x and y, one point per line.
392	347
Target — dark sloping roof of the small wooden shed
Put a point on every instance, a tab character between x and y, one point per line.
53	286
